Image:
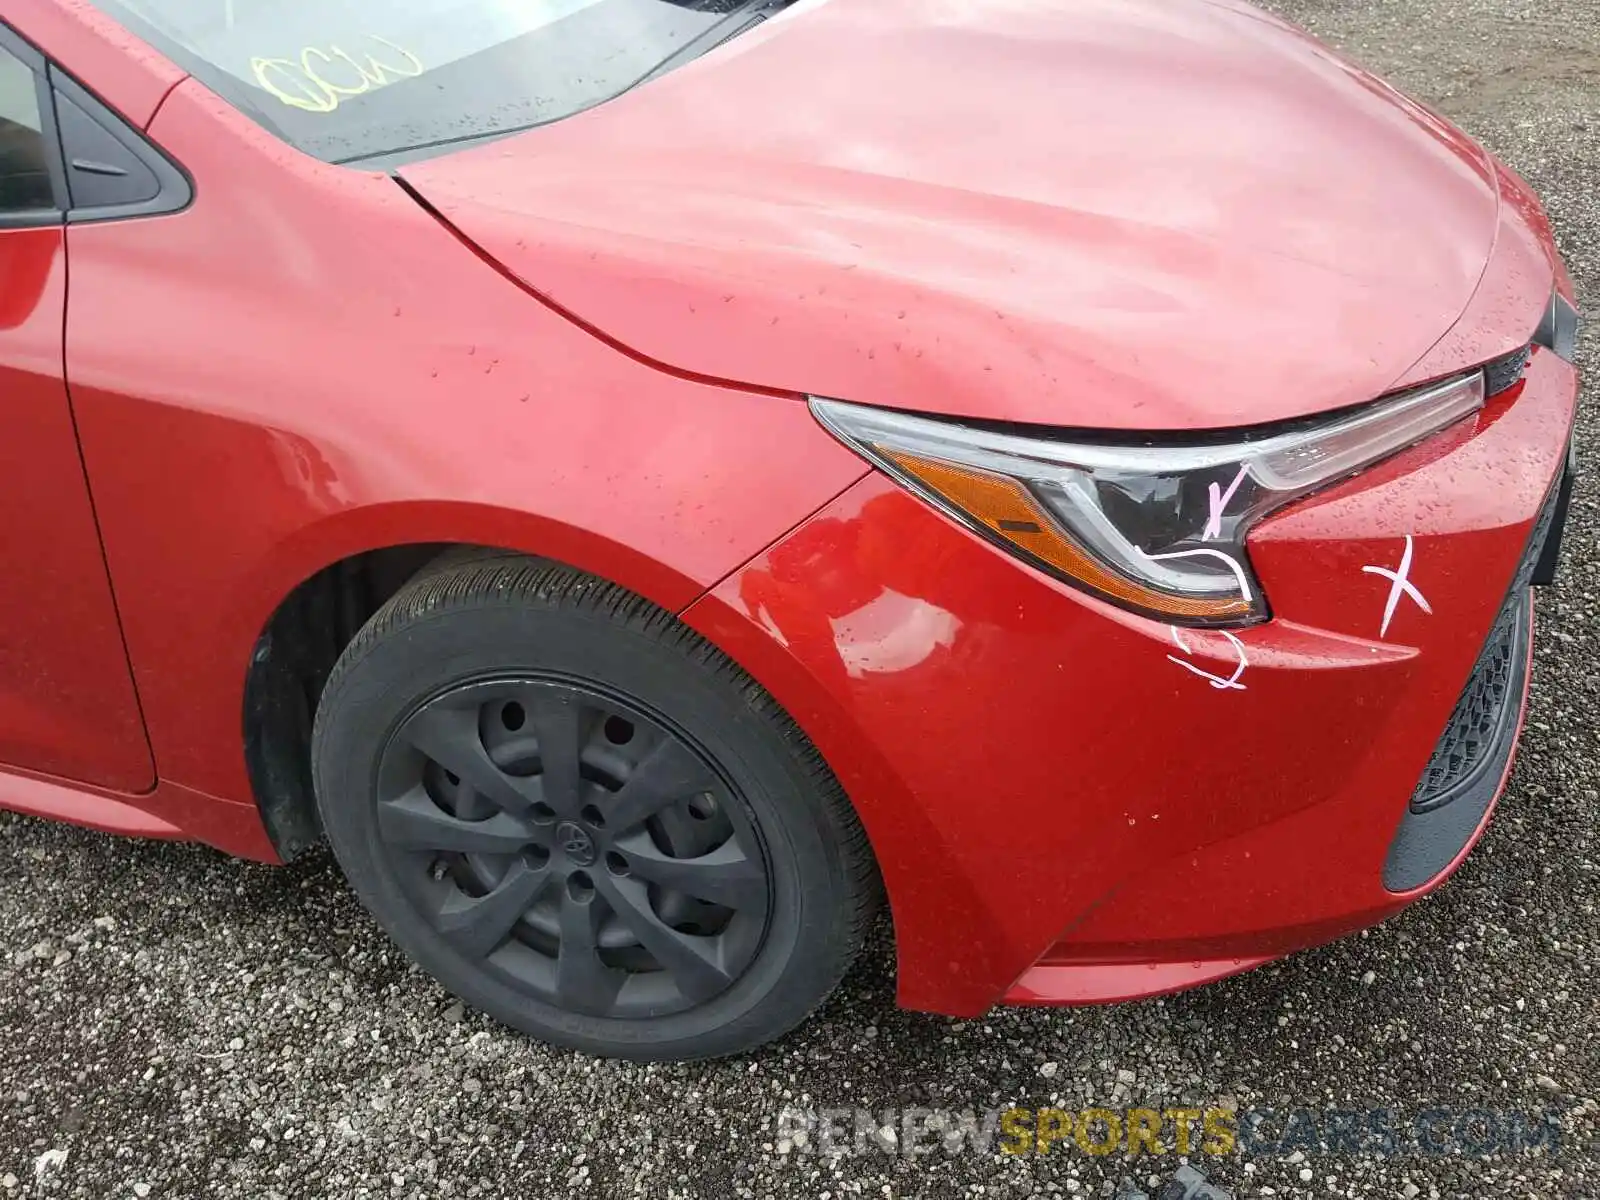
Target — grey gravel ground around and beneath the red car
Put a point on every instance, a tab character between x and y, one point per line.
183	1025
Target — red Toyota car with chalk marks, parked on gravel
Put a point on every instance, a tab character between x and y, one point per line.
1073	470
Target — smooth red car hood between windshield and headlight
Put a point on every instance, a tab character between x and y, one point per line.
1118	214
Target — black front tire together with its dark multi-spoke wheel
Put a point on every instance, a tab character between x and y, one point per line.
490	663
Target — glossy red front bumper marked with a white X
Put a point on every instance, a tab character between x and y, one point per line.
1062	812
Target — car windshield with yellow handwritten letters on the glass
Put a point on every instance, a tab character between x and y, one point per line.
364	79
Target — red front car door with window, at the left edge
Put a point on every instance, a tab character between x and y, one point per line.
68	705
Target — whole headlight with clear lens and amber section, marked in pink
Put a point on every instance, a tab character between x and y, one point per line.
1156	529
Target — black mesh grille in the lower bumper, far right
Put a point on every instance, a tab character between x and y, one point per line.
1494	689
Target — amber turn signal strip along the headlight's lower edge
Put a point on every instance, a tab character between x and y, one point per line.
1012	514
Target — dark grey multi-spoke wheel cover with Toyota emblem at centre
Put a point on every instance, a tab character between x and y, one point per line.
574	846
